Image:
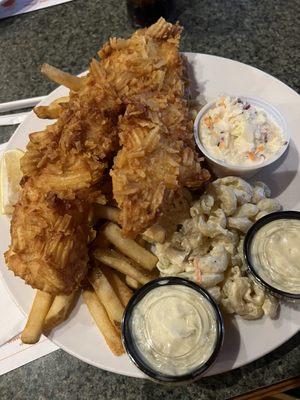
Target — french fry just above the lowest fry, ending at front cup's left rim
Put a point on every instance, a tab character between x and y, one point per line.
107	296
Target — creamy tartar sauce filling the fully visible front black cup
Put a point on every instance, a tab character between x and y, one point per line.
175	329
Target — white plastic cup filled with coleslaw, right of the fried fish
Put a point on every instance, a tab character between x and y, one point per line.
242	137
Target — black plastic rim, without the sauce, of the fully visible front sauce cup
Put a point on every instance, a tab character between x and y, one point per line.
131	344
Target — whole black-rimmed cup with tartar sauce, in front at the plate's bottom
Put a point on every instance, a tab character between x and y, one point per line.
172	330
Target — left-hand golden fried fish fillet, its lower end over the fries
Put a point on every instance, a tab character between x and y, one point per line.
63	167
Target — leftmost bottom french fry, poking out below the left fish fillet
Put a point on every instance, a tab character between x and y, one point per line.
35	322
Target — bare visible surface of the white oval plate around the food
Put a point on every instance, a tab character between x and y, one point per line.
245	341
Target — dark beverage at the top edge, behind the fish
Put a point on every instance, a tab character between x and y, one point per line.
146	12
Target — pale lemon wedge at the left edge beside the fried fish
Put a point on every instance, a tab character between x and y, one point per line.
10	176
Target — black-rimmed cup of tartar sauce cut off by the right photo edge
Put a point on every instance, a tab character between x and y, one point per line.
272	252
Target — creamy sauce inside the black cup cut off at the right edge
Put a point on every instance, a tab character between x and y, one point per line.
275	254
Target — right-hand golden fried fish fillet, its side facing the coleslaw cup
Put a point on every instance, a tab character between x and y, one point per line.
157	153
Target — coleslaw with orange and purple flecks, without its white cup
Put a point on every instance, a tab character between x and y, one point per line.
239	133
